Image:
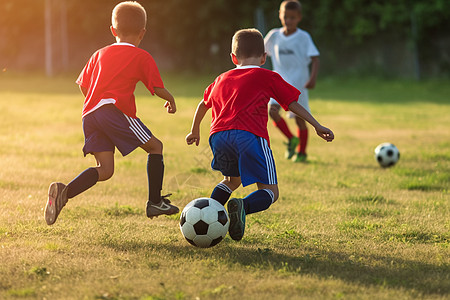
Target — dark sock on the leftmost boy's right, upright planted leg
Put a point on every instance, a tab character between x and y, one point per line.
155	174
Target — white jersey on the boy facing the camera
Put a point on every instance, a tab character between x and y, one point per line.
291	55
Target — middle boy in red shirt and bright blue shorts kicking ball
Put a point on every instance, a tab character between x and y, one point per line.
238	136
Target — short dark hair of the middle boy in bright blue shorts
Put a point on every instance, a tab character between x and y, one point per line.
247	43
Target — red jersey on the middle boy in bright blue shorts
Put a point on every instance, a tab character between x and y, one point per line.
239	98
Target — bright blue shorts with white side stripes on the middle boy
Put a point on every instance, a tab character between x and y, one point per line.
241	153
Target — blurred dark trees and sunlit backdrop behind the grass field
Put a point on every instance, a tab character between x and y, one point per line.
384	38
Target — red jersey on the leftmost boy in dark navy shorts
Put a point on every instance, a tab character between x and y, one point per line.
112	73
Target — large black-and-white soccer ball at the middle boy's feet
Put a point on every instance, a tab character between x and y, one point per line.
204	222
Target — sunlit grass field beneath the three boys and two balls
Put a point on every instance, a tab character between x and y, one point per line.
343	227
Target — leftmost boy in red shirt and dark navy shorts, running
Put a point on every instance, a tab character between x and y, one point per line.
109	117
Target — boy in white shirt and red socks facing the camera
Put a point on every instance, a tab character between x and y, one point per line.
292	50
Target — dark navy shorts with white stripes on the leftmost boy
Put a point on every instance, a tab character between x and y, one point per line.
107	127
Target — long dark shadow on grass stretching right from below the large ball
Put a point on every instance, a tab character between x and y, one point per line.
386	271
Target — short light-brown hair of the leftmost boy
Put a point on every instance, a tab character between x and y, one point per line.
129	18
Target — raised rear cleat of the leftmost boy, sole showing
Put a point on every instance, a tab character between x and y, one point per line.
57	198
